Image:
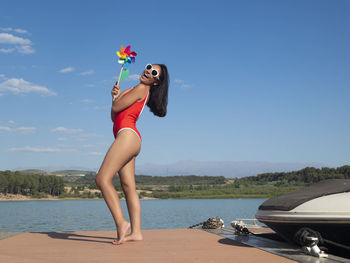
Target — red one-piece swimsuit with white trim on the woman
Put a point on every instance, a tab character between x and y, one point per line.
126	119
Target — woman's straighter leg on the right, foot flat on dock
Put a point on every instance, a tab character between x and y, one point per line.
127	179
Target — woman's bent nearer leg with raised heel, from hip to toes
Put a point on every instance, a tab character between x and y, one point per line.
123	149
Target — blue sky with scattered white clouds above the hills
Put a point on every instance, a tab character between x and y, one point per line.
250	80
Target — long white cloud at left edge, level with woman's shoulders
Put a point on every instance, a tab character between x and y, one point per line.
17	86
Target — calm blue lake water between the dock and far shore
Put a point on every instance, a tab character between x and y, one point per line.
81	215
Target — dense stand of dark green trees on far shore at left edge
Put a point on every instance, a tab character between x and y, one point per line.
17	183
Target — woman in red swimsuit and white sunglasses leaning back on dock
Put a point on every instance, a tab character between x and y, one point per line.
120	158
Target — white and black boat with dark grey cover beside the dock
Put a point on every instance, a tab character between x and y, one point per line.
323	207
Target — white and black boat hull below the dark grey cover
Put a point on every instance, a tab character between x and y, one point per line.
329	215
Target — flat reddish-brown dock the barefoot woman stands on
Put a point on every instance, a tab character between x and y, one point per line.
165	245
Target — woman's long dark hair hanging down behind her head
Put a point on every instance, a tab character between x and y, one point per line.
158	99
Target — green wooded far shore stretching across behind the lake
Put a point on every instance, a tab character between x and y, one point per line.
38	184
